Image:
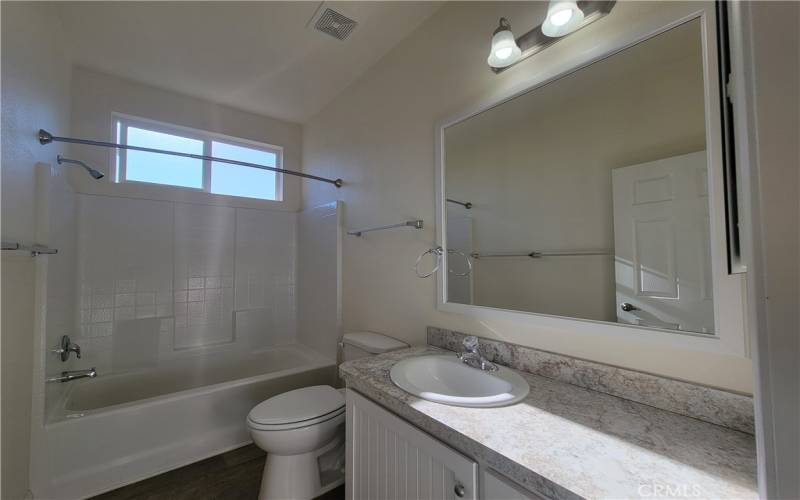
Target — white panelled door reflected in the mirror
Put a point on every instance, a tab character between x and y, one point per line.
662	245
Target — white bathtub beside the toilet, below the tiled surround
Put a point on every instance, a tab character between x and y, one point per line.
119	429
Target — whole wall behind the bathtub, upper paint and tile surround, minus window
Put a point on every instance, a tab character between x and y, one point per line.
165	272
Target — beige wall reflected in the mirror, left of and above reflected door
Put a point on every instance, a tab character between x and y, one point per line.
538	169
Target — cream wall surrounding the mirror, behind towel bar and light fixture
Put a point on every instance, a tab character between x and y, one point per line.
378	136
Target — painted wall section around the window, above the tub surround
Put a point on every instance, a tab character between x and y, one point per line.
95	96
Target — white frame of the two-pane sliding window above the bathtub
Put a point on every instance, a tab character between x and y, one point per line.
118	168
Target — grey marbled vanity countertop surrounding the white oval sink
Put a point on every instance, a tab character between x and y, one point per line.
566	442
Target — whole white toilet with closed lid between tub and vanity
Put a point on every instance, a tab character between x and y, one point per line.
303	431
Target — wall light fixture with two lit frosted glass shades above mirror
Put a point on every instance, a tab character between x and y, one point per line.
563	17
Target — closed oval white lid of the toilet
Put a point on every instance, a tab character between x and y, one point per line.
308	403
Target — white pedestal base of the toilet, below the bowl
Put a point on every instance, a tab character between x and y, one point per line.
297	477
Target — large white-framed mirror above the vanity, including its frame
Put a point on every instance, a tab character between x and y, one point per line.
597	197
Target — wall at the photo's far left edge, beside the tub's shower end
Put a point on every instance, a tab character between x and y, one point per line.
35	94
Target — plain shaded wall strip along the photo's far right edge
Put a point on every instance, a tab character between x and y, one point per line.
770	76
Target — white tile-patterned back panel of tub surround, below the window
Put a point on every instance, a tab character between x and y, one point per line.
159	280
